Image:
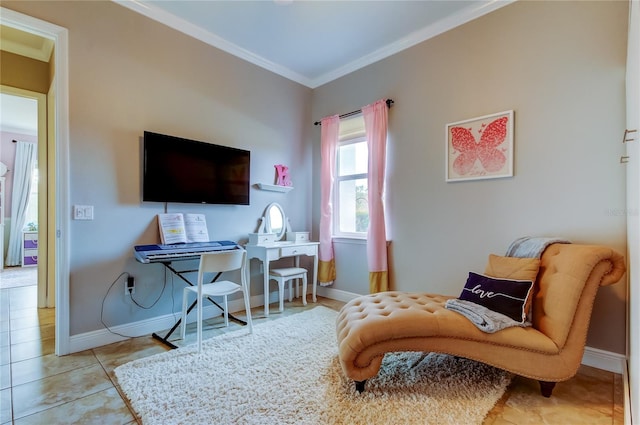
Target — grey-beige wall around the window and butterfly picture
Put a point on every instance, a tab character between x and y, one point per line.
560	66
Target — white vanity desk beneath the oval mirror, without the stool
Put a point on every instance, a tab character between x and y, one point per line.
276	250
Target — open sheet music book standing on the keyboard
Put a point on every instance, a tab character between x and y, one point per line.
182	228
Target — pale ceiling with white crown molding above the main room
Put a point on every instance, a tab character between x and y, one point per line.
313	42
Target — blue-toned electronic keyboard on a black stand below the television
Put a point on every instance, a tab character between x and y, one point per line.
183	251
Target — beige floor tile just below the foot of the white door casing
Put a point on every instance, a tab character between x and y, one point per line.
49	365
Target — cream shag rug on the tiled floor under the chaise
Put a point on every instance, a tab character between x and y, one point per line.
287	372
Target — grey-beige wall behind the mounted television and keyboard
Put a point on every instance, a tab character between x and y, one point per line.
128	74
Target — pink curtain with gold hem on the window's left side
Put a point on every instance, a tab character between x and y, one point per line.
330	131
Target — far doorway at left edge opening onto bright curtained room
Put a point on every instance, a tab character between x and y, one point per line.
23	130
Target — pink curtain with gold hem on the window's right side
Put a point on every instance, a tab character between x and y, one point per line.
375	125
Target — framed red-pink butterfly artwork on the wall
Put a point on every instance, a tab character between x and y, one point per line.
480	148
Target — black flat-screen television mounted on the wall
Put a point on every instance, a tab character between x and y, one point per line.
189	171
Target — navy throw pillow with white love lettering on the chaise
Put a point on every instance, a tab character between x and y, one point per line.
505	296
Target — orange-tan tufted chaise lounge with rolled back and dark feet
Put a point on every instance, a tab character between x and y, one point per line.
550	351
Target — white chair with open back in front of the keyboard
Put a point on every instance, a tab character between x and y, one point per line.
215	262
